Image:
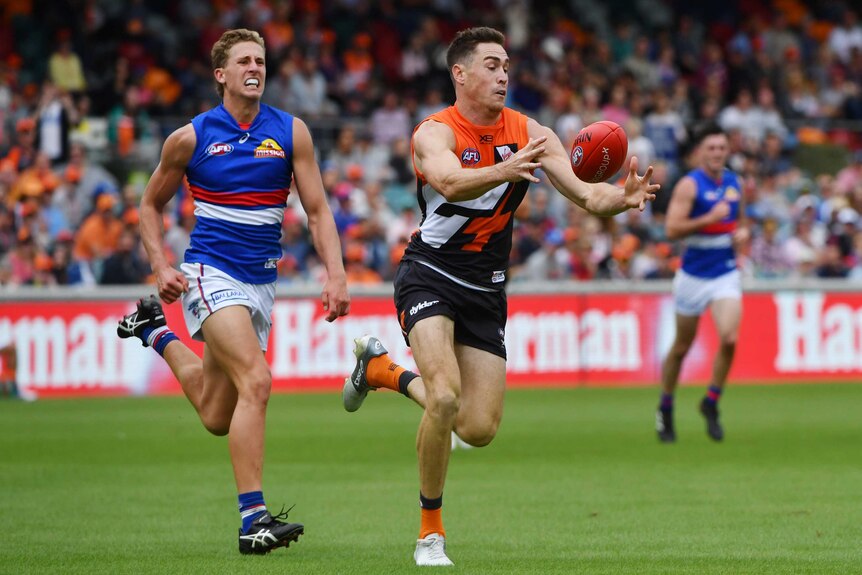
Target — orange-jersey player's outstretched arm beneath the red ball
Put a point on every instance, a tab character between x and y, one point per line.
600	199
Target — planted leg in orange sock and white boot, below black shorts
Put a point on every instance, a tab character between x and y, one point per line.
433	342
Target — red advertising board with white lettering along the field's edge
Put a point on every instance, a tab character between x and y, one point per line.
71	348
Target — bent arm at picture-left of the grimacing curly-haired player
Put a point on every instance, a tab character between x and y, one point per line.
163	185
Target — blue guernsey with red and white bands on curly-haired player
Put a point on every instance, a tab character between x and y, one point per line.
239	178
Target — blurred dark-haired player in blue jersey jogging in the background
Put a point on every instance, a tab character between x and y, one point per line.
704	210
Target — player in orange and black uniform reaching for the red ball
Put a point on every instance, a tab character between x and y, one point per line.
474	162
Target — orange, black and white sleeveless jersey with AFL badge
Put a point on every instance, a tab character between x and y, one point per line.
470	241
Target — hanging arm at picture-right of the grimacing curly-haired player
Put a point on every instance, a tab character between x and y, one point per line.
309	185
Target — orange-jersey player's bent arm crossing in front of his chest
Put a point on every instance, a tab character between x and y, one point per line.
434	157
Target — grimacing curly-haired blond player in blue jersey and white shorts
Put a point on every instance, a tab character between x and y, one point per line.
239	159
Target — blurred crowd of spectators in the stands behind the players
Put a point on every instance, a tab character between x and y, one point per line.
89	90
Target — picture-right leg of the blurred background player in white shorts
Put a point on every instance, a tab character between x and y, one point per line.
726	315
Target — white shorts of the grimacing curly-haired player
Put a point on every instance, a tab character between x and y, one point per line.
211	289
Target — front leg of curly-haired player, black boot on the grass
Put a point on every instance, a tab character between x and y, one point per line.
235	349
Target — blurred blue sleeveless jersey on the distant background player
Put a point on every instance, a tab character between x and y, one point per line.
709	252
